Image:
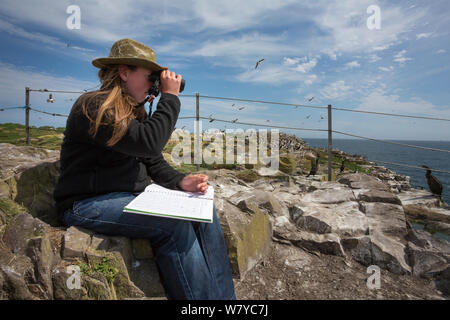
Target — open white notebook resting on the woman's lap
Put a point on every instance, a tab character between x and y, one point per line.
156	200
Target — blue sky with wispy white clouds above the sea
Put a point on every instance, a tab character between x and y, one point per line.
320	49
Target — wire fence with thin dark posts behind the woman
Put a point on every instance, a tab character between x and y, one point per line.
329	108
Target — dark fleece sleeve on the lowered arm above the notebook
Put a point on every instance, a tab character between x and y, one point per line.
163	173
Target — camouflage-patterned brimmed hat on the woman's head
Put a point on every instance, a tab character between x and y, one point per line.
130	52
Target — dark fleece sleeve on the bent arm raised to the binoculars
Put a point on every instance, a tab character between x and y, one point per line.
146	138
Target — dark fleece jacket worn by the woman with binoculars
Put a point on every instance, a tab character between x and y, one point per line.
89	168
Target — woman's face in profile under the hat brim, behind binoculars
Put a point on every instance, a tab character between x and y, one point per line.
136	81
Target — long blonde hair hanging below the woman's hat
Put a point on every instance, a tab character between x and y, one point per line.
117	110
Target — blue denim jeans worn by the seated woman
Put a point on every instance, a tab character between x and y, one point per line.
191	256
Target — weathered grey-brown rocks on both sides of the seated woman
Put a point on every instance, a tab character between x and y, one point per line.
358	219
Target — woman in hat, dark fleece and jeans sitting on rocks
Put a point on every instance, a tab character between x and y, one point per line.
112	148
